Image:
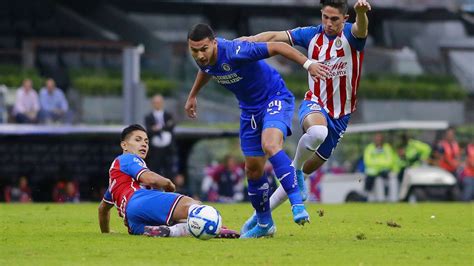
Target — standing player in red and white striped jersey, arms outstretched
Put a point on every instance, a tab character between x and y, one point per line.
325	111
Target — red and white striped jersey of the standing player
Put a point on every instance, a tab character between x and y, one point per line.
343	54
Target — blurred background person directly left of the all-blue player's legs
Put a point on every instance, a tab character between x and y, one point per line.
229	179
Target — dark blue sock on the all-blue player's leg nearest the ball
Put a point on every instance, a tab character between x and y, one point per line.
258	191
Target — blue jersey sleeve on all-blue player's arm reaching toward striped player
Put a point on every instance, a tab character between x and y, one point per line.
244	51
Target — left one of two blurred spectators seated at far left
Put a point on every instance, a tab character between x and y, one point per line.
26	105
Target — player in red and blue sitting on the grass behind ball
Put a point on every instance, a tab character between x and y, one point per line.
149	212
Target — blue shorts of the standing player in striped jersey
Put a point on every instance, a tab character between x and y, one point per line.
336	127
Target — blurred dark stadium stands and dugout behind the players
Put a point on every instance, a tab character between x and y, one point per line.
418	79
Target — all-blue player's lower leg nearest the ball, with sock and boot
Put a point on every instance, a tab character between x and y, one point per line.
261	224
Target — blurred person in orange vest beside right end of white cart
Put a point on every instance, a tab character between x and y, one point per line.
448	153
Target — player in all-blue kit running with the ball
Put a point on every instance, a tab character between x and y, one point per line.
266	112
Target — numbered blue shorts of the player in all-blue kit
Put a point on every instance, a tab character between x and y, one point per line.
277	113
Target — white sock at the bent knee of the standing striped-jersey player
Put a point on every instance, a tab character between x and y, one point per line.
308	143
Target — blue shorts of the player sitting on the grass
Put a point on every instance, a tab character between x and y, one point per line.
150	207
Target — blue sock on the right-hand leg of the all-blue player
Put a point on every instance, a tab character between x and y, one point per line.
286	175
